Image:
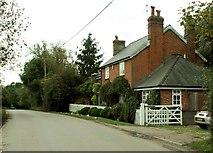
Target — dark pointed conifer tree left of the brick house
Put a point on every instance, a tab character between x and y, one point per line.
89	59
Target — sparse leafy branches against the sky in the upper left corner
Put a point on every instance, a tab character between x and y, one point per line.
13	24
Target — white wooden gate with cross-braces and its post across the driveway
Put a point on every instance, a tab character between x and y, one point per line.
158	115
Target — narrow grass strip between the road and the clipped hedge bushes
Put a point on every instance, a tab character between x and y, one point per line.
98	119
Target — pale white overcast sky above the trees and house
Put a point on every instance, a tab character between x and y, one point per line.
58	20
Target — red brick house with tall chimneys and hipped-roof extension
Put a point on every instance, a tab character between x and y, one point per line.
162	60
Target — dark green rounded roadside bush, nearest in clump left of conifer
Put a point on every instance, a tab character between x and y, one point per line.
60	90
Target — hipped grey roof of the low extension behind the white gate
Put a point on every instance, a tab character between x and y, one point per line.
176	71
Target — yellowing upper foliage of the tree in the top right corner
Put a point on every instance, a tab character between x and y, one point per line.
198	17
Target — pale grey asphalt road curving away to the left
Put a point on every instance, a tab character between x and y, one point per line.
39	131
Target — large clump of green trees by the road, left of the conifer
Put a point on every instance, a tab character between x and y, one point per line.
51	78
